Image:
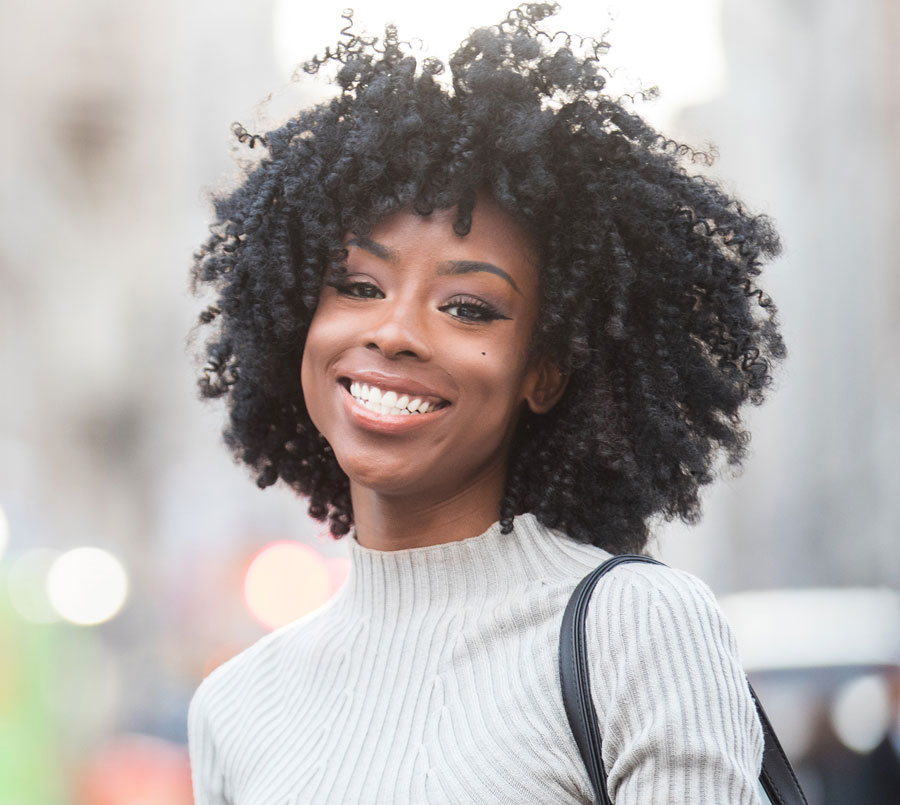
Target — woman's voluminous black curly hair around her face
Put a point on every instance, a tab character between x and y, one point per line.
648	274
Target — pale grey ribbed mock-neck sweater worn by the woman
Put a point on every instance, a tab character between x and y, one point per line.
431	677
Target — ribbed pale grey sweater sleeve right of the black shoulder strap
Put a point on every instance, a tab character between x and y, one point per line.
678	722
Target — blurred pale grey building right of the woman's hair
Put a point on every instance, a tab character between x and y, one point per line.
808	131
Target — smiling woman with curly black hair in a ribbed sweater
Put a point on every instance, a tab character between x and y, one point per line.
489	330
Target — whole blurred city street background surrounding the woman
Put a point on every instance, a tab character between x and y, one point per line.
135	557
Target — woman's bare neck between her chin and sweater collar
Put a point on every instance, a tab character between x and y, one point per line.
394	522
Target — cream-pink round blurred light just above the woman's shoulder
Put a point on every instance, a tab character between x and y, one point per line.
285	581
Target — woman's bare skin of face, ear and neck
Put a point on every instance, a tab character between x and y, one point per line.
446	319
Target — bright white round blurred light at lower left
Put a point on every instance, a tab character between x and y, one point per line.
87	586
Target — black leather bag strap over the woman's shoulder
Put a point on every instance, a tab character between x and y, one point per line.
777	778
